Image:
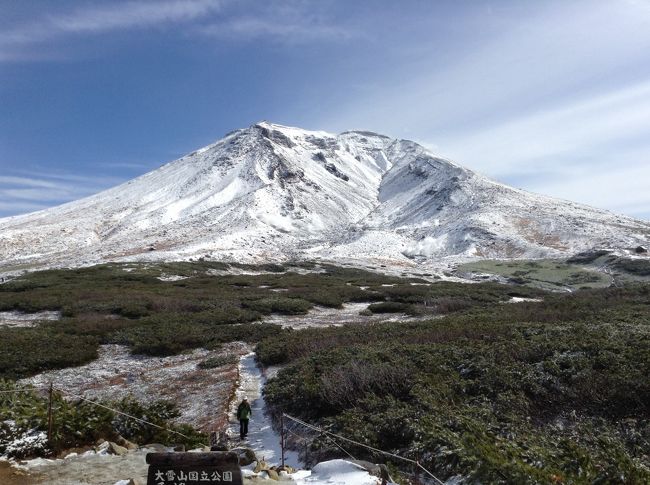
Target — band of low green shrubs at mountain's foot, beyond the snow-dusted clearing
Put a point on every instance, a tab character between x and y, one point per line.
128	304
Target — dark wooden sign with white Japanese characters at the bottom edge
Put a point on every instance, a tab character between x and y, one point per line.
194	468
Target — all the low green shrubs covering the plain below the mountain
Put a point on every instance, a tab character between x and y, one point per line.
545	391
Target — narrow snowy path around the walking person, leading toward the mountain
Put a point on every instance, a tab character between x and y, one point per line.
262	438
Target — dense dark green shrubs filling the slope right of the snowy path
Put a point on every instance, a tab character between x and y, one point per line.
534	392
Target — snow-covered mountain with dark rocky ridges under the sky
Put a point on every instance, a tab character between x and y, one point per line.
273	193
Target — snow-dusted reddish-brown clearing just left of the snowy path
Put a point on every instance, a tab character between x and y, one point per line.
202	395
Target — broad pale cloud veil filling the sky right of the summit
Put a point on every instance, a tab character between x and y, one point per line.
554	98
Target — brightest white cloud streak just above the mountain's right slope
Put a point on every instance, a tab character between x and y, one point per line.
585	130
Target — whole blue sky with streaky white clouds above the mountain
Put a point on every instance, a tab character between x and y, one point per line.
549	96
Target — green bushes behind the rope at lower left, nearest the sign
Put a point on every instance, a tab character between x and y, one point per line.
80	423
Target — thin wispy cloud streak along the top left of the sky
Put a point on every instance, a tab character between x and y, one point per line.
288	22
